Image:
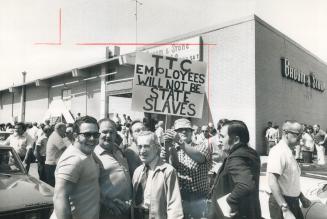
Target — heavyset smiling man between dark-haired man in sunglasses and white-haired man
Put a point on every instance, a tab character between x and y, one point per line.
115	179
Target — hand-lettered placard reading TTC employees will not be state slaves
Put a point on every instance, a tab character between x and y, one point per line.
167	85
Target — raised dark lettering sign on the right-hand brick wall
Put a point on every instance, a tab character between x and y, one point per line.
296	74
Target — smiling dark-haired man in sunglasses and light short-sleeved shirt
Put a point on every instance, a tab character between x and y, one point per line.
77	192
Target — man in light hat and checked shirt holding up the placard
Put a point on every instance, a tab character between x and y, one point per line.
192	162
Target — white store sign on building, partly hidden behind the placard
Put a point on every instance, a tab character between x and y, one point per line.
186	49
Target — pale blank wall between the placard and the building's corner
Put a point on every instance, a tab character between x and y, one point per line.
231	78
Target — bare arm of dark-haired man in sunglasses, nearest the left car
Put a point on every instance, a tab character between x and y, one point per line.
63	190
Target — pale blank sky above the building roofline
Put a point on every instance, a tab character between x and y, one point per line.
24	23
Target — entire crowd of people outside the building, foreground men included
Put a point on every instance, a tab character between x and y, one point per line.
119	168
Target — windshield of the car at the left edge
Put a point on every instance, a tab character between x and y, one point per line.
9	163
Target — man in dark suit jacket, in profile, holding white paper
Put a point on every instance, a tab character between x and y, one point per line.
239	174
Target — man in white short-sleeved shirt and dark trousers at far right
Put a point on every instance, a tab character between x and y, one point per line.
284	173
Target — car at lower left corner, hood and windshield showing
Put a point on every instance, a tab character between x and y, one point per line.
21	195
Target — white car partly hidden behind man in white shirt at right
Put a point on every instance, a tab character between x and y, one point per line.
313	186
